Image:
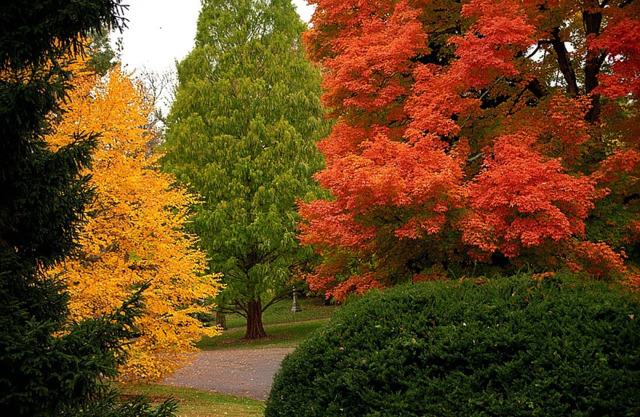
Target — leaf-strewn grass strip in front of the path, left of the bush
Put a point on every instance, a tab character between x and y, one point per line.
196	403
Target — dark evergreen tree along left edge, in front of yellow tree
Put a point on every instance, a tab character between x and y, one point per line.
49	366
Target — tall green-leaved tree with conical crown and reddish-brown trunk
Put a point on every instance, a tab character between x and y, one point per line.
242	133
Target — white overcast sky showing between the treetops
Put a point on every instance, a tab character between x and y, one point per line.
163	31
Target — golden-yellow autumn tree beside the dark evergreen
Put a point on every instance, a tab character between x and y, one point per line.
134	231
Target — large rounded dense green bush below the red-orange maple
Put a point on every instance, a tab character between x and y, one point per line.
507	347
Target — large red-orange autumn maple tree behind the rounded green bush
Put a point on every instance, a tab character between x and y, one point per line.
476	135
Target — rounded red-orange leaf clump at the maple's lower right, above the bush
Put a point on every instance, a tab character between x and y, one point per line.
521	200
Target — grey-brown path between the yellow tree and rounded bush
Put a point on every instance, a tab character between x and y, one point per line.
241	372
